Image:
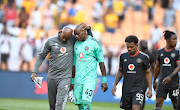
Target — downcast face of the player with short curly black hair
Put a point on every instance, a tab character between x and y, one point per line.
131	47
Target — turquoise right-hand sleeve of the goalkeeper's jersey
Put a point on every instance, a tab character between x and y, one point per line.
99	53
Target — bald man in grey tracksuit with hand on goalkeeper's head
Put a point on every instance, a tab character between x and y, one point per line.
59	75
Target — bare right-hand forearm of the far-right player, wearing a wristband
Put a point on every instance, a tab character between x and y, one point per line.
175	72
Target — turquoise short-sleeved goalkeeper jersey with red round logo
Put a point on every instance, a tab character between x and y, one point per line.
86	55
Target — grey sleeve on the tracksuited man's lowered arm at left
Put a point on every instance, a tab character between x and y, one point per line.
42	55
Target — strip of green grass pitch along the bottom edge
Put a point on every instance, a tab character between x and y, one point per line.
33	104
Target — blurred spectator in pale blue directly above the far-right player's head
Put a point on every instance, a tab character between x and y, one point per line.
169	17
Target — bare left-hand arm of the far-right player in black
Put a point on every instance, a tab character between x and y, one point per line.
156	73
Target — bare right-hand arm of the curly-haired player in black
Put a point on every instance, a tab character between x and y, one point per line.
149	82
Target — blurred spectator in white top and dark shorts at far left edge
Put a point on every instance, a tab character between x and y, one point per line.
5	48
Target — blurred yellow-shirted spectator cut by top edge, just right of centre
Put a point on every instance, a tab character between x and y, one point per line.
118	8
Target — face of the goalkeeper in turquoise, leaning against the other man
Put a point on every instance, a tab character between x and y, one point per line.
79	33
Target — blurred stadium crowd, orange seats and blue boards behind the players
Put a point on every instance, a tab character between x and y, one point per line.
26	24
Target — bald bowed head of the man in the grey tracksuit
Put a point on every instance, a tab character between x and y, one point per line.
65	34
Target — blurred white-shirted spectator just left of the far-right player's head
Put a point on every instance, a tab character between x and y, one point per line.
156	34
